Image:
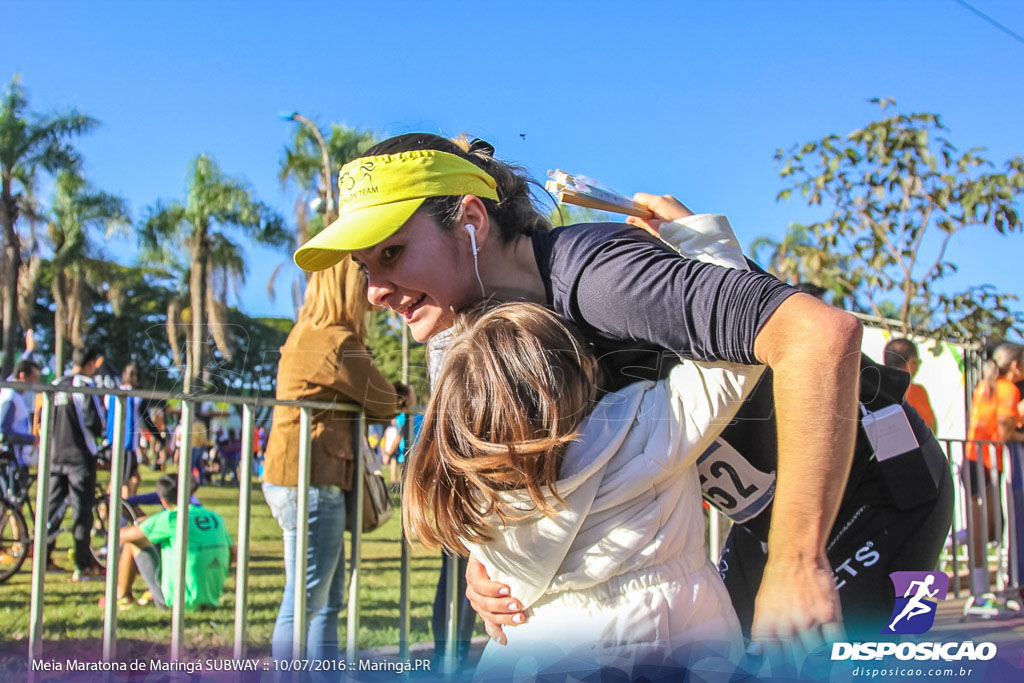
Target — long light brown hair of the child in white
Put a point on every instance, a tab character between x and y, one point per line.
516	386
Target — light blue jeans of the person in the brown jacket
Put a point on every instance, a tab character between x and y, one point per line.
325	569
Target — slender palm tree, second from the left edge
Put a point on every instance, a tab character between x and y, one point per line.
76	210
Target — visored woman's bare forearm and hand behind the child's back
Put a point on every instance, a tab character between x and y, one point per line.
815	353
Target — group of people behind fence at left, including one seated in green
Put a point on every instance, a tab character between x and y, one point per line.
82	435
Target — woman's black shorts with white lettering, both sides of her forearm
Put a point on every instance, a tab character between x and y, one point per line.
868	543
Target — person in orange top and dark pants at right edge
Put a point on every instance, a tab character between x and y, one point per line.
995	415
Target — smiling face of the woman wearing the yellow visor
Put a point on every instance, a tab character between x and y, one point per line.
422	274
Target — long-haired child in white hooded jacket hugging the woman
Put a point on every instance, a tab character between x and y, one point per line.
589	509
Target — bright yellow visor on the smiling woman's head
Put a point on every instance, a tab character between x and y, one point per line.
377	196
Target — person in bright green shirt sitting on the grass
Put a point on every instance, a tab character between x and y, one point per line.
150	550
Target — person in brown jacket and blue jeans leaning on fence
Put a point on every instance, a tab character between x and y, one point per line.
324	360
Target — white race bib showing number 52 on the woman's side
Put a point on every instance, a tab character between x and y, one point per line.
734	486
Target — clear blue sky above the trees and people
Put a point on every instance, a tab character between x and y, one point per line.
685	98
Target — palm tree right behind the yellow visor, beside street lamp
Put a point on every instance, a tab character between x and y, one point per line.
302	163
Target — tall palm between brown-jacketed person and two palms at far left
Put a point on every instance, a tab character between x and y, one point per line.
216	203
